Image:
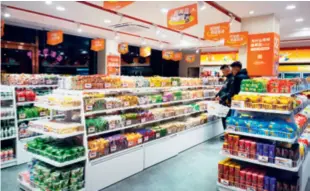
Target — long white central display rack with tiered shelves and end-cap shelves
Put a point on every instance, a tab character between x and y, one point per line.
145	153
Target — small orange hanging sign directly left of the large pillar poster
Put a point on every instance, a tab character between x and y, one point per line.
236	39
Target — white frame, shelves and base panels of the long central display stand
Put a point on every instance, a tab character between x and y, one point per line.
124	163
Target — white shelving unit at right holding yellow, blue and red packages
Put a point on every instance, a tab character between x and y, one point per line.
224	185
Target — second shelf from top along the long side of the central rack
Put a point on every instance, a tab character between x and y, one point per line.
143	106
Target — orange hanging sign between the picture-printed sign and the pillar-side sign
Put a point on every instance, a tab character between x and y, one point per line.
216	32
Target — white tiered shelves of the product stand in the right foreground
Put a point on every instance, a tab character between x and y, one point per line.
302	164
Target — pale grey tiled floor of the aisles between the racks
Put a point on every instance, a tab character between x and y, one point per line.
194	169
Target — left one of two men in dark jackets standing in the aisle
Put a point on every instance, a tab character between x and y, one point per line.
224	94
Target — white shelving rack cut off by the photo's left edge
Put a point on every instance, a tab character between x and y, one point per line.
8	130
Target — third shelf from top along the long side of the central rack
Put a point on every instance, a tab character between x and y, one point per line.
145	123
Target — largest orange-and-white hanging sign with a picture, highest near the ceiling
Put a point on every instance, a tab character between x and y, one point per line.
182	17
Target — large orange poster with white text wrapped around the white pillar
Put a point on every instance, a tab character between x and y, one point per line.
263	54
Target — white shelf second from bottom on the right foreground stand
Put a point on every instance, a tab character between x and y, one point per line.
293	169
